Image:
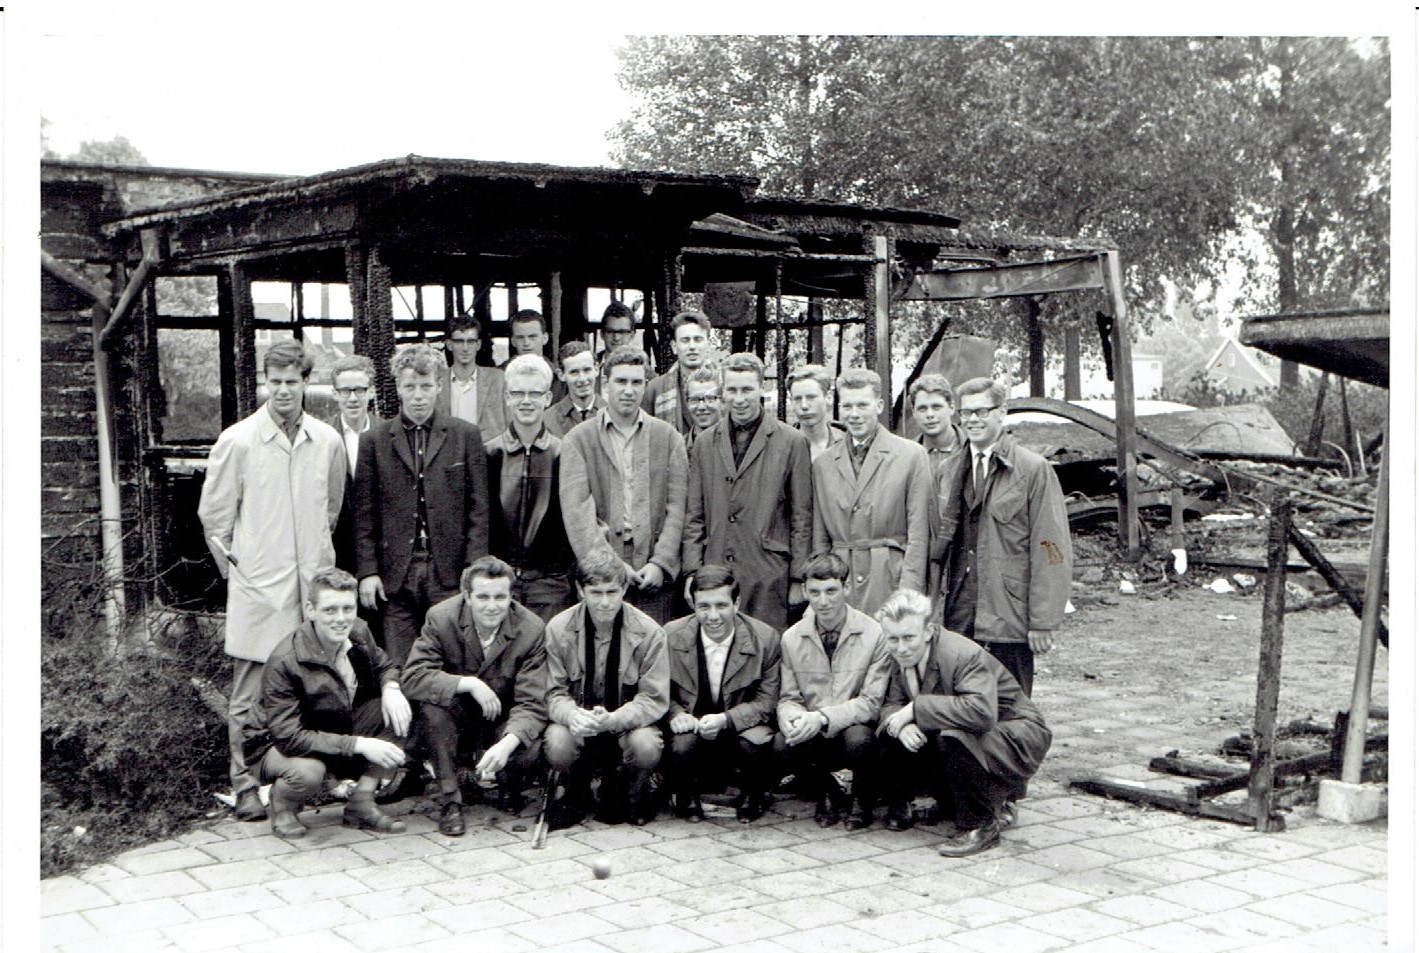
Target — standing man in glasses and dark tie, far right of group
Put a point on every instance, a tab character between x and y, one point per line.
1007	579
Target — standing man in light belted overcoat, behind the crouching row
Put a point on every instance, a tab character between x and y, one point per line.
872	498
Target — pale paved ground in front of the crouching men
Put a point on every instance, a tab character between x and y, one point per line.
1078	874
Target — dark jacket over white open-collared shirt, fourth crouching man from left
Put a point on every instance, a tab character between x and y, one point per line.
750	689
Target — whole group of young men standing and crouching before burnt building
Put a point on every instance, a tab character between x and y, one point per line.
644	578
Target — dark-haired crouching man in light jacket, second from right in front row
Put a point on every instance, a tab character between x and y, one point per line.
834	679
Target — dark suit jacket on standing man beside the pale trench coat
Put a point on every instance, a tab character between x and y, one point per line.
387	503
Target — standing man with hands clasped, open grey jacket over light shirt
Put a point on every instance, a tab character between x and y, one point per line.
624	487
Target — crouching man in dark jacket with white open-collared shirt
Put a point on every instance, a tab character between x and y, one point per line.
724	683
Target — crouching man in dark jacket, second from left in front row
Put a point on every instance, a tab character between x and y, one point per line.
479	670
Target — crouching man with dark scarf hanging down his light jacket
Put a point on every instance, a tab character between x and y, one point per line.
608	689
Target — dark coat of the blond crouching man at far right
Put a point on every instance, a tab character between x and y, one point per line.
970	696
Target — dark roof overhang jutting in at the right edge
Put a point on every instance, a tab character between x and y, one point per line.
1353	344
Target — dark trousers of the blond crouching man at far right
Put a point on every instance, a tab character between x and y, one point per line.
946	768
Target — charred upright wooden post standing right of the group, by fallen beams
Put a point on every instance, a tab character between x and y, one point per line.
1269	666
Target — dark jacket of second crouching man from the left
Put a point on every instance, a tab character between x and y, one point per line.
516	669
